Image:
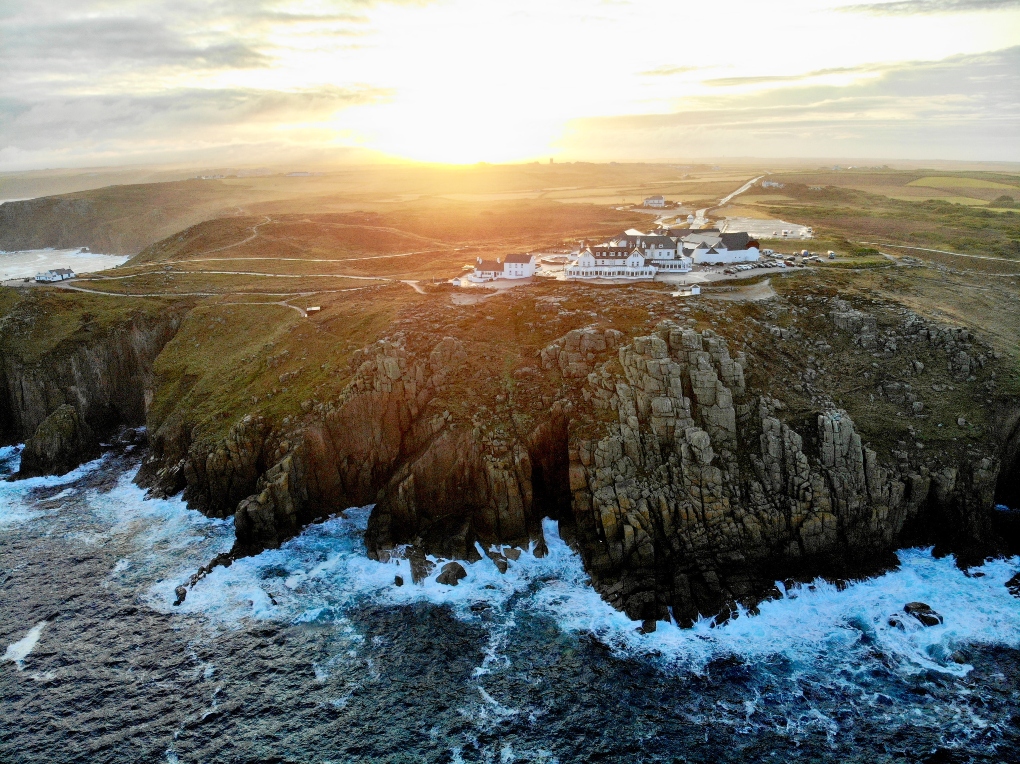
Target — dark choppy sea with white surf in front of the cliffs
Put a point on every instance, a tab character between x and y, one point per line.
312	654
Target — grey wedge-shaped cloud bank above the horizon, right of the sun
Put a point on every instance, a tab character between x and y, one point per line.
961	108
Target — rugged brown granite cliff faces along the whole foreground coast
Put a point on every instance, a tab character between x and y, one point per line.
685	471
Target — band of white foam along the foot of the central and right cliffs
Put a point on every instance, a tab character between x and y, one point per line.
326	571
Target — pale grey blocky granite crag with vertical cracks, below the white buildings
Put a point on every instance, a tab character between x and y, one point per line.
699	495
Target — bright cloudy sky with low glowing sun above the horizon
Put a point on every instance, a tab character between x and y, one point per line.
89	83
